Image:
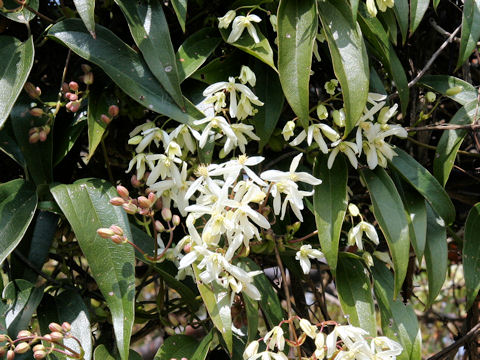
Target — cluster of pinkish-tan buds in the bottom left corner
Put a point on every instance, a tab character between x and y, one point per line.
27	341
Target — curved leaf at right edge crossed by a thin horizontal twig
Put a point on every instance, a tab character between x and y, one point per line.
451	140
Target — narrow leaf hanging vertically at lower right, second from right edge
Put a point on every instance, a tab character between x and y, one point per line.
436	255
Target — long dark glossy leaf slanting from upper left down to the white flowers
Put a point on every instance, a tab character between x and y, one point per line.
123	65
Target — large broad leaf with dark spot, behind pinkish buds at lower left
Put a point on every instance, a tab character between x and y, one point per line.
87	208
